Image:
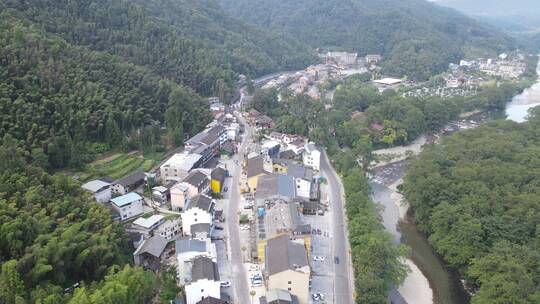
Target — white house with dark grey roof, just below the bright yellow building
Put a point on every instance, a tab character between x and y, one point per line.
199	210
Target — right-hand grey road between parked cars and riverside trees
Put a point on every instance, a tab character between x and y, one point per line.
343	274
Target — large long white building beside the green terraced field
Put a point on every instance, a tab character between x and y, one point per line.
179	165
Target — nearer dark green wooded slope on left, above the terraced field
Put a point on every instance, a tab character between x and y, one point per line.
56	98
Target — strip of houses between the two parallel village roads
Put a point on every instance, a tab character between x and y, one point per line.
281	182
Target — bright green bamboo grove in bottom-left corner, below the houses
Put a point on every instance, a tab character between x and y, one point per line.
52	235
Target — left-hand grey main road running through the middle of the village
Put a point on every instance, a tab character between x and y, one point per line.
239	273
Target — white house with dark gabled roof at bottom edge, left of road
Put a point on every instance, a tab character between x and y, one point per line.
204	281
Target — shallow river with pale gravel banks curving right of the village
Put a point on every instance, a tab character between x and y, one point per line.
430	280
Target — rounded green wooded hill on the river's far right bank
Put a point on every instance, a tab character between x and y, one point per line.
477	197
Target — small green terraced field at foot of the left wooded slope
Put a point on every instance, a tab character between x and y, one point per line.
118	166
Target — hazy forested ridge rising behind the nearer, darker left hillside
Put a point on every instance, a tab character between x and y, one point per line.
191	42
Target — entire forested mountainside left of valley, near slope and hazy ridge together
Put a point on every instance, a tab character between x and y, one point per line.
80	77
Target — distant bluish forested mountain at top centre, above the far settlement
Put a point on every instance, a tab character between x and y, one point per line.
417	38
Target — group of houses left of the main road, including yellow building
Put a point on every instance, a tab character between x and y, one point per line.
172	224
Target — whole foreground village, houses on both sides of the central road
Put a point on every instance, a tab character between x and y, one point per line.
239	195
